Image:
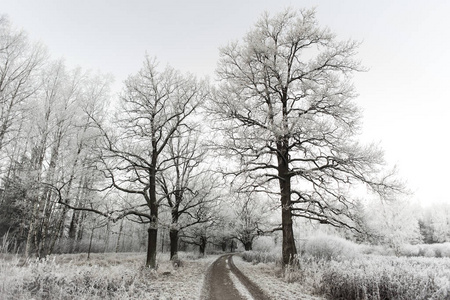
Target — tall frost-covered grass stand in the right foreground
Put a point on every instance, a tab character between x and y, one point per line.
376	277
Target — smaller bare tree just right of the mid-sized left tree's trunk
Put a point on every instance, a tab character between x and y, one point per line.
186	183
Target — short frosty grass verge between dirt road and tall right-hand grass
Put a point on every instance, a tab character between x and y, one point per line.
269	278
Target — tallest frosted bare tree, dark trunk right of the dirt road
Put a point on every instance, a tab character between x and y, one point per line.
288	119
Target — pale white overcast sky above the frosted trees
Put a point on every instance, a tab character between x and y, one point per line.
406	46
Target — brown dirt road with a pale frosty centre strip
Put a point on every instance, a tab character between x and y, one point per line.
225	282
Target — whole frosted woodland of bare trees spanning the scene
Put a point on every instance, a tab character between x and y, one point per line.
262	158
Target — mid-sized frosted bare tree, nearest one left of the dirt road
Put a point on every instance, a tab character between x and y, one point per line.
155	105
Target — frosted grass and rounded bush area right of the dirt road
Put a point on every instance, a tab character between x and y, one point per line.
334	268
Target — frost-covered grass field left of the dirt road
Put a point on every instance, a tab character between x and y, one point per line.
103	276
